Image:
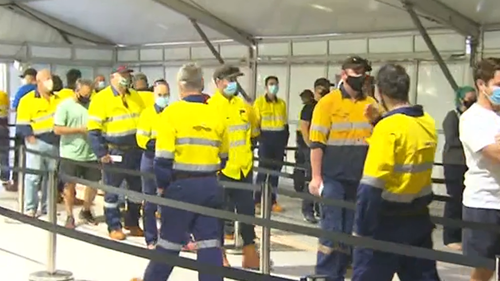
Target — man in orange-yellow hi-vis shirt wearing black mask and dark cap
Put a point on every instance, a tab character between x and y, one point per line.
338	145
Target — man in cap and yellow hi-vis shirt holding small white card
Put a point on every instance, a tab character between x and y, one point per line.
112	124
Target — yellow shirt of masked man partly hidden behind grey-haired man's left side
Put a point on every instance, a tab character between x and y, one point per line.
148	122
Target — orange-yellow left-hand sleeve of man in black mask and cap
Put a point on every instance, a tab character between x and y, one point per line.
320	123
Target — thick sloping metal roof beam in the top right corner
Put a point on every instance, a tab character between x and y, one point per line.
446	16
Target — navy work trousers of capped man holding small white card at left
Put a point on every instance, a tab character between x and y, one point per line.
131	160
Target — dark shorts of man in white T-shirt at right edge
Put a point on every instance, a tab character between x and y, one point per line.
480	243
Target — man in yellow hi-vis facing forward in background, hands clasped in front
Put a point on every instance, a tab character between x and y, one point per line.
274	133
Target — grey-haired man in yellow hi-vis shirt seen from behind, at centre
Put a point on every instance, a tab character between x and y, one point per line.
190	149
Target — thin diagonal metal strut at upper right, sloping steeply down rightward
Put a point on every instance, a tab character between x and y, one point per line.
428	41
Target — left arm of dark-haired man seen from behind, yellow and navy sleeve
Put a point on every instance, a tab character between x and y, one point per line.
378	166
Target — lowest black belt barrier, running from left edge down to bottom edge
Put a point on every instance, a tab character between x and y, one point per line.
172	260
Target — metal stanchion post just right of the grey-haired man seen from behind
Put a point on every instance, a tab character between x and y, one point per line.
265	239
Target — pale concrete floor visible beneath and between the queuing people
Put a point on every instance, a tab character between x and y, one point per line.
23	251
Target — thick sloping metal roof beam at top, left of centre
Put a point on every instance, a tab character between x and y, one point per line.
208	20
